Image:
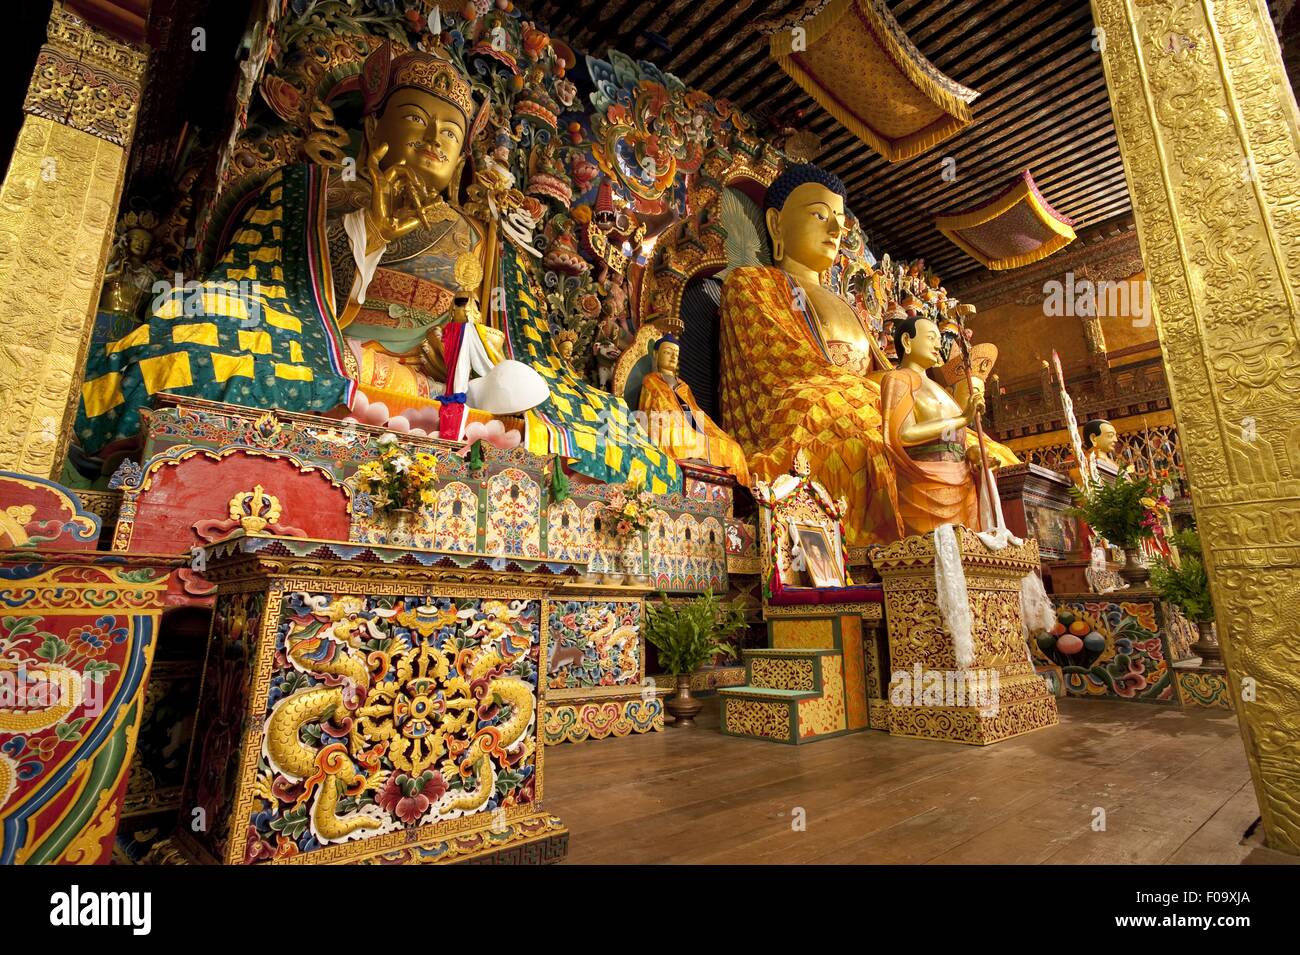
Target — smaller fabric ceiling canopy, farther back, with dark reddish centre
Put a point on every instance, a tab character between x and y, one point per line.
1016	229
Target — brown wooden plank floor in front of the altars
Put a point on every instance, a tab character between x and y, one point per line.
1175	788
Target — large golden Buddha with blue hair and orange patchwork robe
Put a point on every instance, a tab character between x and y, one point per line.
801	368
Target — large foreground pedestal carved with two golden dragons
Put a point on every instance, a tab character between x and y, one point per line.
370	705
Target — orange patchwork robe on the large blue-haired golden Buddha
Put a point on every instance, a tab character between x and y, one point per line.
781	393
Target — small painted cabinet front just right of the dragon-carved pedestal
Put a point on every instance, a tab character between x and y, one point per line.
596	666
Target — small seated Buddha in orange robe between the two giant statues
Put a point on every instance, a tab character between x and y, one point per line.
677	423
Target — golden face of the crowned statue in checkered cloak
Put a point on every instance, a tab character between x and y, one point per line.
424	132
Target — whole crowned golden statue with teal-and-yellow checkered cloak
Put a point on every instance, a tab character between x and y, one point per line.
366	293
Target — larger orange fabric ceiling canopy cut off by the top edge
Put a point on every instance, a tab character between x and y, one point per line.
853	59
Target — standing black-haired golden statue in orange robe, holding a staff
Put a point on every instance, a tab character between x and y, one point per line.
929	439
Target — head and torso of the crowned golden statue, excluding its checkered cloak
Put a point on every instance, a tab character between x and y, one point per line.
406	262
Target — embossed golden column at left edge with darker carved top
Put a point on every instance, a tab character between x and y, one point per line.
58	207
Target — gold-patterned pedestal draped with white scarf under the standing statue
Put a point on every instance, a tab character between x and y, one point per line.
998	696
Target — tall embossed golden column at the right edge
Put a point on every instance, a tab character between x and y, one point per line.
1210	132
